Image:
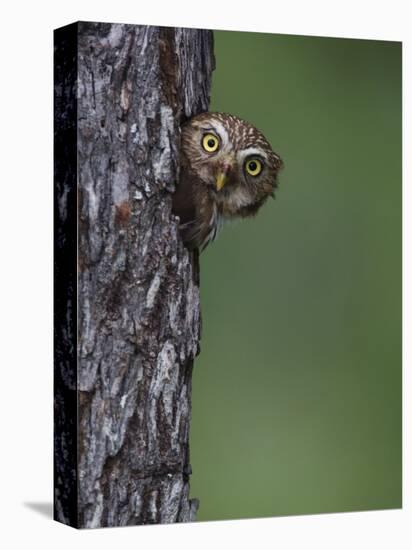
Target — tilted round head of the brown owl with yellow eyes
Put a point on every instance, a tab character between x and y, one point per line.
233	160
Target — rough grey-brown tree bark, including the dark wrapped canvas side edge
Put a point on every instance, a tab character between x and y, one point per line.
128	314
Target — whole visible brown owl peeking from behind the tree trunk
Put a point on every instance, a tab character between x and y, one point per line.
228	170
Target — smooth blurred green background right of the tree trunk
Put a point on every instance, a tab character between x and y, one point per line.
297	390
